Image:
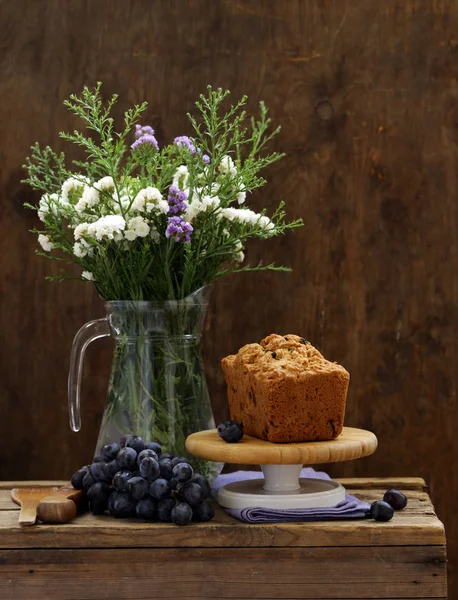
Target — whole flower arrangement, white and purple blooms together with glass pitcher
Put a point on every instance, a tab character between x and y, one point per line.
151	227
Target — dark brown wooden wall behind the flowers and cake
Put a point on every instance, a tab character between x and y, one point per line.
367	94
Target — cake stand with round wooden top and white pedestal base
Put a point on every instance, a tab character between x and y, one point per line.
281	464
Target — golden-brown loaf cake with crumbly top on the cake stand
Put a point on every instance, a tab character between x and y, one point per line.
284	390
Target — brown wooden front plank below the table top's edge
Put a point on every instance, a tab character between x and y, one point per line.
408	572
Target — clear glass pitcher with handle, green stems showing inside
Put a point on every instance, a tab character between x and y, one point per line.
157	387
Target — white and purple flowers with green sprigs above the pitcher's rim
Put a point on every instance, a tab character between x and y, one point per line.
150	223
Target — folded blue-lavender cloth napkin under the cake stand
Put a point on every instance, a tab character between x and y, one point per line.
350	508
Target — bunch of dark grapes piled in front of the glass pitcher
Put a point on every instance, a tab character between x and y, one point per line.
136	479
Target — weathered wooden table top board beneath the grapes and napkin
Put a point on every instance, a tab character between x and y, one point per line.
417	525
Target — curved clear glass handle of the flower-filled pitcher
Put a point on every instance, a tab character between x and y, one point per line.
88	333
